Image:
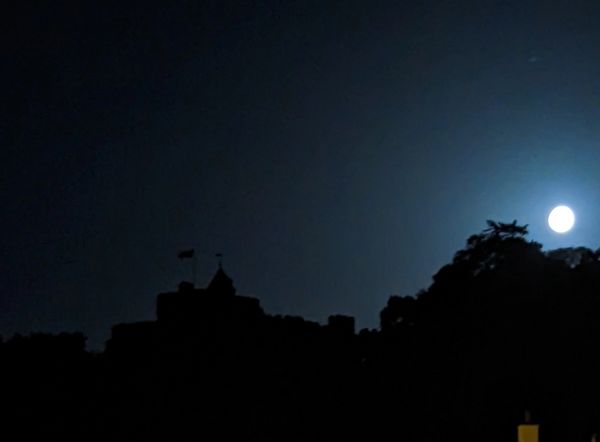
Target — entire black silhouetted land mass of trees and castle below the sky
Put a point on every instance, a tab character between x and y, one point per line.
503	328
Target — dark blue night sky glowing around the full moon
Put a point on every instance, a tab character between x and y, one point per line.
335	152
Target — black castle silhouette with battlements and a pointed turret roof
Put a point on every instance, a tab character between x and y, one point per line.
191	316
